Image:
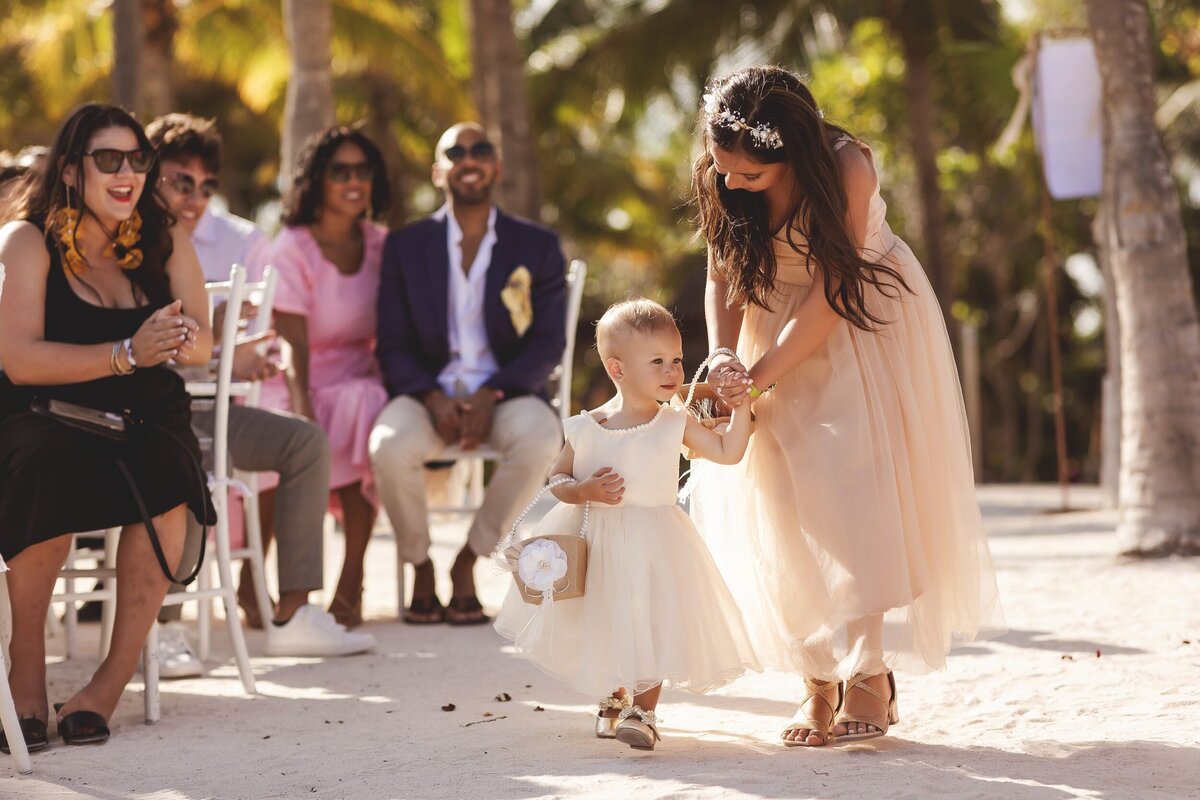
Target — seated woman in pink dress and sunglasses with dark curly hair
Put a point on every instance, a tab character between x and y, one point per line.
329	260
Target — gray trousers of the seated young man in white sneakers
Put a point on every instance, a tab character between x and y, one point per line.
297	449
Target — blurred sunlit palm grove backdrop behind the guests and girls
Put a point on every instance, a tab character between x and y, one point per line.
605	94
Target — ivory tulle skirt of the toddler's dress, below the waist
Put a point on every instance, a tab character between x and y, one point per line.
656	609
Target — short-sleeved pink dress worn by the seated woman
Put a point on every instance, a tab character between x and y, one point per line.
344	377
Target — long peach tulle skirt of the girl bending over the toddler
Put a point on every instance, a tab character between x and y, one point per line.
856	498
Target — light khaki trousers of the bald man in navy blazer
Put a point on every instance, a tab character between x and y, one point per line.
527	435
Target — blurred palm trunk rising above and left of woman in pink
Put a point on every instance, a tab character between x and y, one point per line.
309	107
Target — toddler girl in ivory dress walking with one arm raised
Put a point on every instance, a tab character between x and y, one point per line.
656	611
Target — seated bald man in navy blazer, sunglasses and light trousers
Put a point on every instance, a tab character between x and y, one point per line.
472	323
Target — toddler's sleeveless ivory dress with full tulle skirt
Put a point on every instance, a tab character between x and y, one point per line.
656	609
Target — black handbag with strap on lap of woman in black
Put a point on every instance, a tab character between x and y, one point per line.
117	429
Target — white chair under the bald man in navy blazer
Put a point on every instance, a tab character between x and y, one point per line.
473	491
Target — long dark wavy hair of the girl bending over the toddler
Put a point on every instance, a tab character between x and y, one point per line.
737	225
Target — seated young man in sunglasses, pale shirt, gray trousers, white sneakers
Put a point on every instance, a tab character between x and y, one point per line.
260	441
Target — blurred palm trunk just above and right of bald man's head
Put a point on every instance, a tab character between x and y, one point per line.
503	103
